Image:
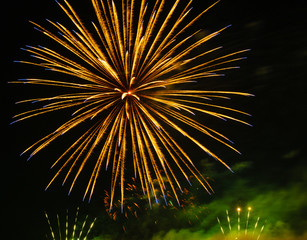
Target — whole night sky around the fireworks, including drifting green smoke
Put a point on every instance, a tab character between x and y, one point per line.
270	174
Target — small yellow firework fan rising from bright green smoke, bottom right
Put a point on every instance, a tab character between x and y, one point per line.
242	226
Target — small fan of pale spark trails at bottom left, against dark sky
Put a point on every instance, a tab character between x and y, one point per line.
69	227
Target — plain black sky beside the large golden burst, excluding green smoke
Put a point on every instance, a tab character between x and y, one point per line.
275	72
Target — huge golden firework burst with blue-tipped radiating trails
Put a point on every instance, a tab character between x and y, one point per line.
126	73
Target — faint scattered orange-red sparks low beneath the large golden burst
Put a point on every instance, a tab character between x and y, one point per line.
136	207
